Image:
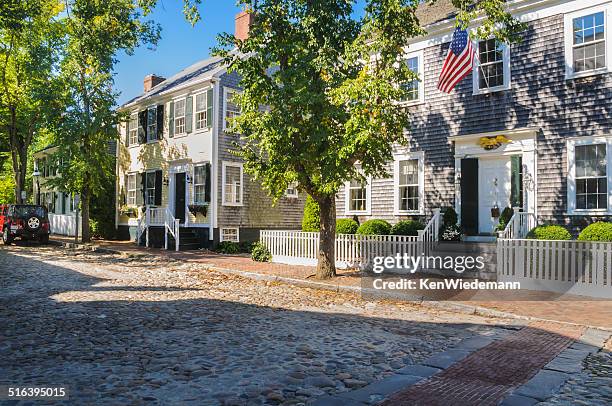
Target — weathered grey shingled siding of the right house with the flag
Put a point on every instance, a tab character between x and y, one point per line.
539	97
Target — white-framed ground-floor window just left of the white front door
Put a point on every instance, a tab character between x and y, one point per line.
409	182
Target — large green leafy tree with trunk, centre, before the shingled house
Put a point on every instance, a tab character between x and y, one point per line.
330	85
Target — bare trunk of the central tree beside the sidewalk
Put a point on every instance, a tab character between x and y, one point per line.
326	267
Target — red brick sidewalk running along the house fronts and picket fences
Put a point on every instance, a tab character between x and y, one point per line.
597	313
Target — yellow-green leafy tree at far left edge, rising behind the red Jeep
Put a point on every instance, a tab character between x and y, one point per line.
29	34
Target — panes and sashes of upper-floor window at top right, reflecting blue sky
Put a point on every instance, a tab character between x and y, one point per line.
589	43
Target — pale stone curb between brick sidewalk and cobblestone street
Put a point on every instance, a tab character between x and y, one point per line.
439	305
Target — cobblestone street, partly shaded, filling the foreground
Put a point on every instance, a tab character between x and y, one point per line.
144	329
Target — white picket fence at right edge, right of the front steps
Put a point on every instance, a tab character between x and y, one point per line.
575	267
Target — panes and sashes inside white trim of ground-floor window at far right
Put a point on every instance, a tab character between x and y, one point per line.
591	176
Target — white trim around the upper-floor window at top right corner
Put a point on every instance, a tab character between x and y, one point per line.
569	40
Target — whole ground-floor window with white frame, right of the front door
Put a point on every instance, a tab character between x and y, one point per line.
589	180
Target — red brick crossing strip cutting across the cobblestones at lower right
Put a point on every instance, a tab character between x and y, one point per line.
487	375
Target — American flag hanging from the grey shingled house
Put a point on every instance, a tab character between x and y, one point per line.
458	62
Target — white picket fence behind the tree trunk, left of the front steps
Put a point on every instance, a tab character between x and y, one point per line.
301	248
